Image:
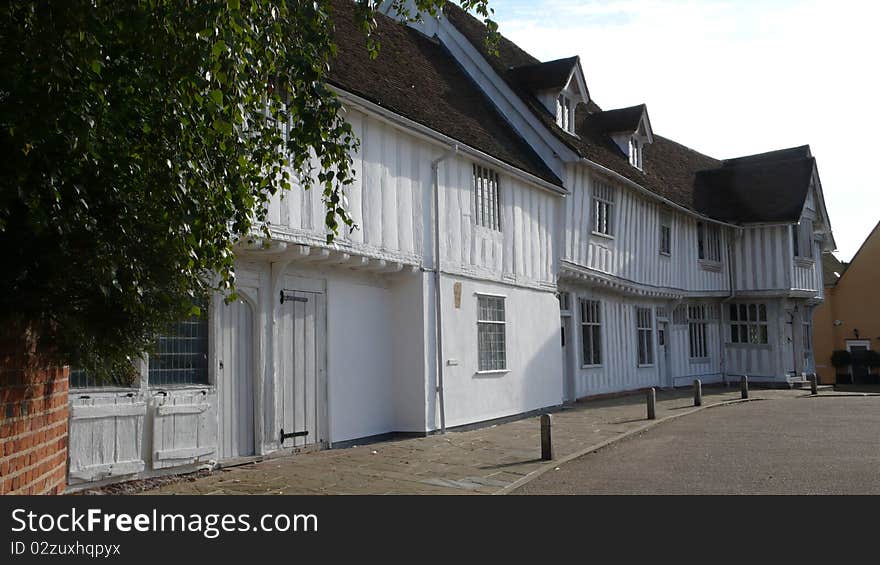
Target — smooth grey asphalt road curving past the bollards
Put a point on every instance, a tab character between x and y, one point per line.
804	445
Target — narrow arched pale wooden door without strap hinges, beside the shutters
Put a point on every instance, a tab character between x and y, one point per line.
235	380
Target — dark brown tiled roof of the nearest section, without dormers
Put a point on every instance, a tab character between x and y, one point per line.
417	78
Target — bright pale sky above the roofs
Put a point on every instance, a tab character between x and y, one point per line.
733	78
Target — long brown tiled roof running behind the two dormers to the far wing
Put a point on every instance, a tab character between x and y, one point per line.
766	187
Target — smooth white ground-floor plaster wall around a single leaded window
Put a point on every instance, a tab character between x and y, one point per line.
534	357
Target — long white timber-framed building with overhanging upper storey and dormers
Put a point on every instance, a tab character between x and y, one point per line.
575	251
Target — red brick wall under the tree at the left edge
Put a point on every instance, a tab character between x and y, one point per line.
33	426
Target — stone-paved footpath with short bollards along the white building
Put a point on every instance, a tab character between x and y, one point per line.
492	460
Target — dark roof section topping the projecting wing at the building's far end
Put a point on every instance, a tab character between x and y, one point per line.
770	187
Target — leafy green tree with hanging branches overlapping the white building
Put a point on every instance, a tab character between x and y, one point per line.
141	141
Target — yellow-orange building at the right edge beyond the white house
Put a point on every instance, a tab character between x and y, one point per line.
849	318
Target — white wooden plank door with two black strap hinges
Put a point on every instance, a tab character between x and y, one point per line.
302	351
